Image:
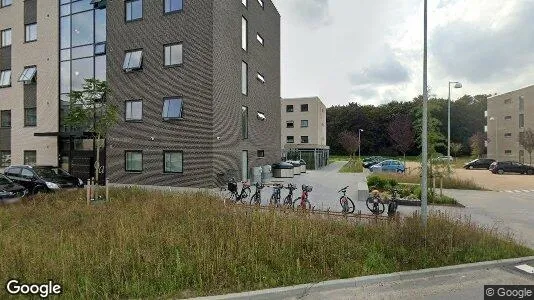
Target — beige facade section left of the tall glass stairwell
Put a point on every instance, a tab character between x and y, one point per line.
29	104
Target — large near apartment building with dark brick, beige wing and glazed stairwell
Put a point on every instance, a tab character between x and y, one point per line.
197	84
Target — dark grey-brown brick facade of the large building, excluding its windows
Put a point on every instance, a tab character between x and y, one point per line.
209	83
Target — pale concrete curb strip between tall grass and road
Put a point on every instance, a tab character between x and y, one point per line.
304	289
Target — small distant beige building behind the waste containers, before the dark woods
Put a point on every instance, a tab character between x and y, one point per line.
303	136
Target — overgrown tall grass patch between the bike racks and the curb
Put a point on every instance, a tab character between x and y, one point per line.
153	244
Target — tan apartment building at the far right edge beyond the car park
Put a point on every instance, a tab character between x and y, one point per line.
508	116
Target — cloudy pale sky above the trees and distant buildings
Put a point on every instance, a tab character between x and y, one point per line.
371	51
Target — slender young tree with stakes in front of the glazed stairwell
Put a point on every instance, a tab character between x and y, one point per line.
88	110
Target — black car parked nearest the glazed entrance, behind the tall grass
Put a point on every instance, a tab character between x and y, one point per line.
42	178
